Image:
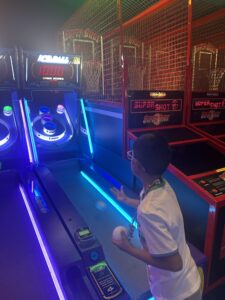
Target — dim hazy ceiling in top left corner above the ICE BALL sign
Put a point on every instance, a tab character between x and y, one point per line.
33	24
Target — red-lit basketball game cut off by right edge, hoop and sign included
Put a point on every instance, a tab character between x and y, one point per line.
206	104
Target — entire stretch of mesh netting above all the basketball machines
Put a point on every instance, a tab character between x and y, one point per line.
139	45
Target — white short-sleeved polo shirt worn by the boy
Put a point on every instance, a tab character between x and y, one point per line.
161	231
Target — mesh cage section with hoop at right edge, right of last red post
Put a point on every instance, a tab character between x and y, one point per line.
208	46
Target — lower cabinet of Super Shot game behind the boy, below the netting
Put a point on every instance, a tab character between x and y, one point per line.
195	161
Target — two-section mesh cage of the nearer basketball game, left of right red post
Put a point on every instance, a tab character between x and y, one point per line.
134	45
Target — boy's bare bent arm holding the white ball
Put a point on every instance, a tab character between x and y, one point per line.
171	262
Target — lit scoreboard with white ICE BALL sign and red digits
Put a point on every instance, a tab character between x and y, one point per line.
51	71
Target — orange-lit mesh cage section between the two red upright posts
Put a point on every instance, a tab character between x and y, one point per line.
159	52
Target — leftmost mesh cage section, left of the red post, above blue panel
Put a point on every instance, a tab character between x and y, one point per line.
84	34
